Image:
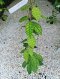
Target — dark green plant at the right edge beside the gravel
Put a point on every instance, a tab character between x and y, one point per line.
53	18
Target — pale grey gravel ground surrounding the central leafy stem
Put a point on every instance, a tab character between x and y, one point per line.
11	35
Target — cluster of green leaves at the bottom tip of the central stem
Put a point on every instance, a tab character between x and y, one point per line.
32	60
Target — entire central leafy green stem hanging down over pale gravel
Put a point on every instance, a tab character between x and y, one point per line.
32	60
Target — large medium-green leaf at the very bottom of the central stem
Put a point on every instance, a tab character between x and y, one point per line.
32	64
